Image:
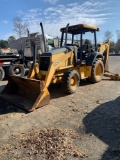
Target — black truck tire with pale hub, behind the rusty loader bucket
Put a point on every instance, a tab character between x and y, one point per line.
17	70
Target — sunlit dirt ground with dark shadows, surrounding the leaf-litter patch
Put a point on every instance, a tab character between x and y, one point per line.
93	112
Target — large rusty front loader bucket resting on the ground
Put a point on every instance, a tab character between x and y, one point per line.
26	93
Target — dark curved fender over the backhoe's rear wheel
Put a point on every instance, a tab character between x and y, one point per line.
93	56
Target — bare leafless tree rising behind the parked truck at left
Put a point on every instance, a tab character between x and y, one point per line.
20	26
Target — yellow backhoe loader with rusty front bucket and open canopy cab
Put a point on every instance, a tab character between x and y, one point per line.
68	64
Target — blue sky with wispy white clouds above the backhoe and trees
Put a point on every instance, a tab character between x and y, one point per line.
55	14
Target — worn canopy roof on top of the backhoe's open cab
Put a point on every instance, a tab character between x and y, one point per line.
80	28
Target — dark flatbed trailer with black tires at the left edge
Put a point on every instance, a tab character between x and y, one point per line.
10	64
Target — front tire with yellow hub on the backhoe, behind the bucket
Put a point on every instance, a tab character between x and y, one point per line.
71	81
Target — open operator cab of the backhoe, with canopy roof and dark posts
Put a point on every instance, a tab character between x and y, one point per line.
76	34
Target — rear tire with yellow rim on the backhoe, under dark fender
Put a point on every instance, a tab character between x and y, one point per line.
97	71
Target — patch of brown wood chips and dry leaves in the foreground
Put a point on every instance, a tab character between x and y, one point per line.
48	144
